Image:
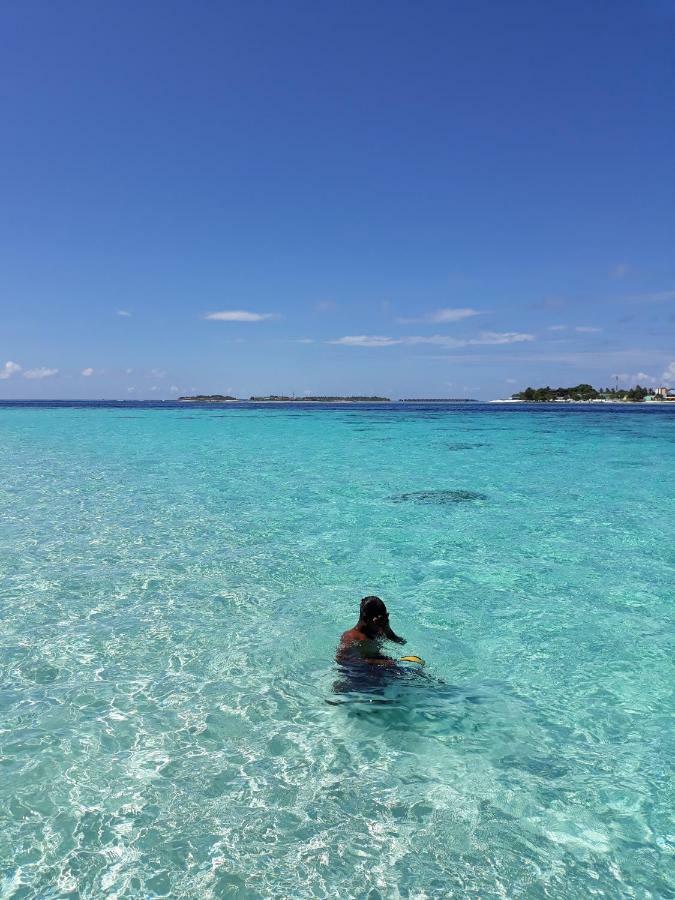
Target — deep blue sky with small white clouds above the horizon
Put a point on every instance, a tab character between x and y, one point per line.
431	199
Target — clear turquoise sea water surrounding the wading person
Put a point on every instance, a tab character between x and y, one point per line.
173	583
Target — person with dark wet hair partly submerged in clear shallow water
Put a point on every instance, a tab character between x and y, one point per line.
363	666
